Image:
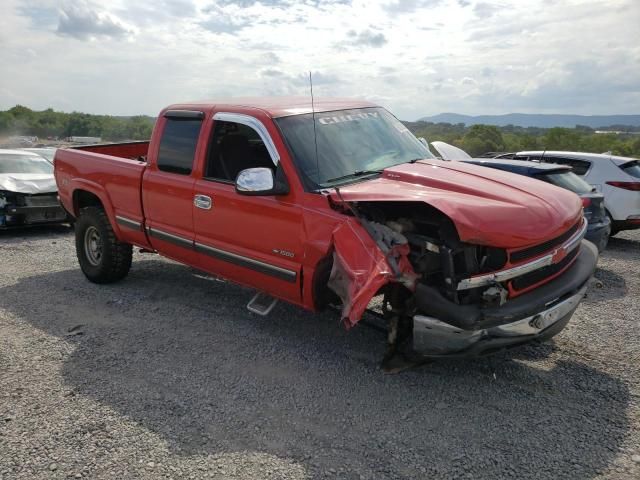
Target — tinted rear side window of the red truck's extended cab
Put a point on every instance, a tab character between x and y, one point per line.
178	144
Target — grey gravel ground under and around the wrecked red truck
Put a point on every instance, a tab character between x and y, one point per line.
167	375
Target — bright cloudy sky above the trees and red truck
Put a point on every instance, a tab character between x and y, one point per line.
415	57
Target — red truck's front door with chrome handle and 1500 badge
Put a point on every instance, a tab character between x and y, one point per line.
253	240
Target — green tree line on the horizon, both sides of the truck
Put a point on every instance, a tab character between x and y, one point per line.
475	140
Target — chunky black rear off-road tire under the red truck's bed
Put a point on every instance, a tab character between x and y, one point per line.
113	261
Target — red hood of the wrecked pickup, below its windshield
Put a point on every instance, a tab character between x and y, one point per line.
487	206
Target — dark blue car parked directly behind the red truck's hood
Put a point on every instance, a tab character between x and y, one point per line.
599	228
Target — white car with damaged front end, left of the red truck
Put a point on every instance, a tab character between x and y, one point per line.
28	191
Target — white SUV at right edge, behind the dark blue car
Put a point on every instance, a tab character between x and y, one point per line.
618	178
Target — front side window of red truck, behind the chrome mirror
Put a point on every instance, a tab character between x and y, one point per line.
233	148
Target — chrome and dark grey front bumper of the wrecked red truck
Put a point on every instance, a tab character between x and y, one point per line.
468	330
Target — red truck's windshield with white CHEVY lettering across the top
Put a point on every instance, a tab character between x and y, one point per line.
356	141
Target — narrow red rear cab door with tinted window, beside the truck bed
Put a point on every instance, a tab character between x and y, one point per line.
168	185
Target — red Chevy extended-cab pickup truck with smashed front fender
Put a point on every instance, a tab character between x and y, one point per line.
332	206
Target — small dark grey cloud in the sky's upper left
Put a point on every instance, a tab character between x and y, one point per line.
82	21
